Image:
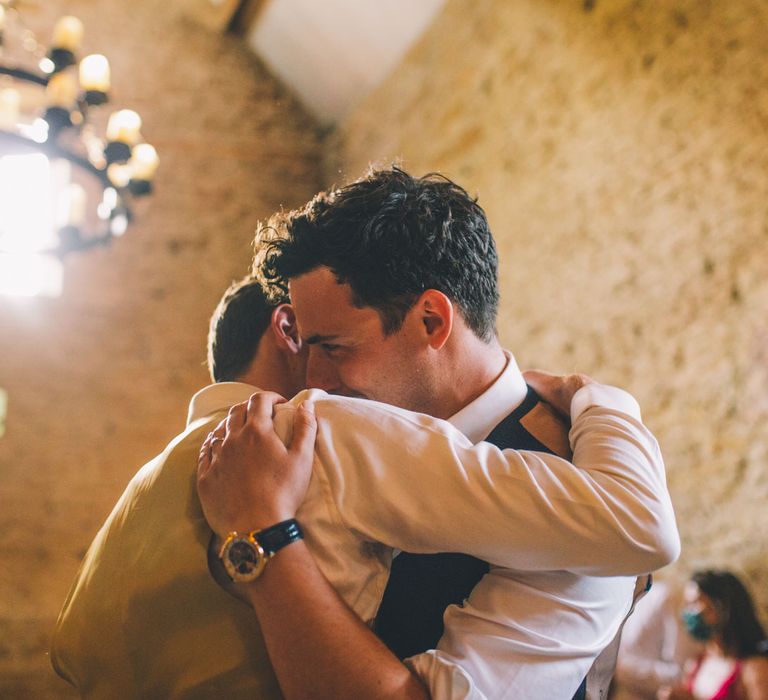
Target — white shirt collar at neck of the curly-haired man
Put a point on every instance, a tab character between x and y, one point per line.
478	418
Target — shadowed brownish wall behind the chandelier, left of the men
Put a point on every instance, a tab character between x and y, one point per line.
99	379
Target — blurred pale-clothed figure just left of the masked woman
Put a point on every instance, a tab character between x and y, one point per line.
654	644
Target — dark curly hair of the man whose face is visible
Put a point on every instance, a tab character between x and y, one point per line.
391	236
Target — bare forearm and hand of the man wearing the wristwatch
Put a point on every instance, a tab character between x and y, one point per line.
318	647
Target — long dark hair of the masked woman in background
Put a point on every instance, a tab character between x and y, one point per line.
741	631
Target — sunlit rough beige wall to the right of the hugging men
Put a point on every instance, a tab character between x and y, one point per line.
621	152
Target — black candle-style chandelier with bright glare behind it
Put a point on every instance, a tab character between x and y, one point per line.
63	187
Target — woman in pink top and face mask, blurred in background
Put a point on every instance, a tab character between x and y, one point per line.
718	611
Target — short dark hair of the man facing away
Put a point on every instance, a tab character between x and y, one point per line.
237	326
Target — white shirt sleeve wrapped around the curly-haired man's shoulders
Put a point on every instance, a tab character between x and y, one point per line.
415	483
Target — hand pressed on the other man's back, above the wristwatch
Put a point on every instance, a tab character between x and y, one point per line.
247	478
